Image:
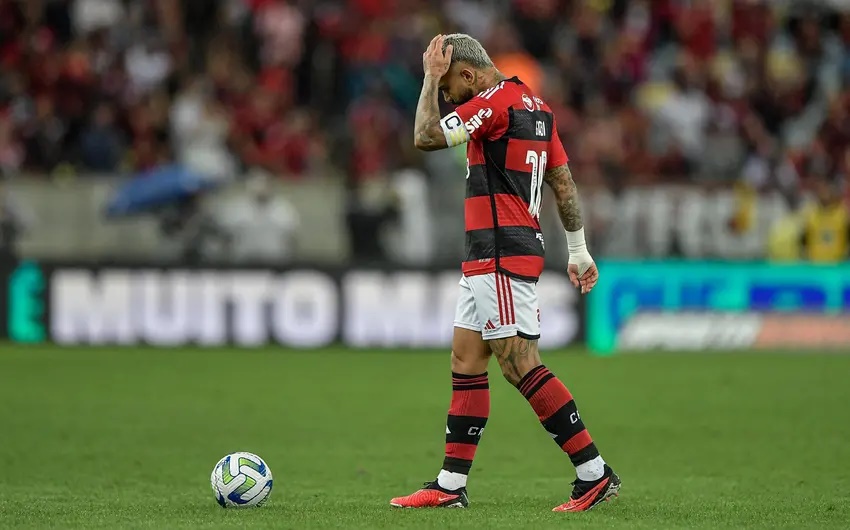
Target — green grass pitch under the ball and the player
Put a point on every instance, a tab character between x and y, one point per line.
113	438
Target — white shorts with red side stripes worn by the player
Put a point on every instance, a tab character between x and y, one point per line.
498	306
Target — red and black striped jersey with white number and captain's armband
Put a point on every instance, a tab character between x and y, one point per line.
512	139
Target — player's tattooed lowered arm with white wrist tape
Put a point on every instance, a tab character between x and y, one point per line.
582	269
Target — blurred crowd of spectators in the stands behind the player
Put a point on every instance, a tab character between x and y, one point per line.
751	92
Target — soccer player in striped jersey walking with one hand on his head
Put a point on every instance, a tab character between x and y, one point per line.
512	149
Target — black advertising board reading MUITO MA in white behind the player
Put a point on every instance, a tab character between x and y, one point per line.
302	307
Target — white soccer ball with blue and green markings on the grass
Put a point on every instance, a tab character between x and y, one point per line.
241	480
